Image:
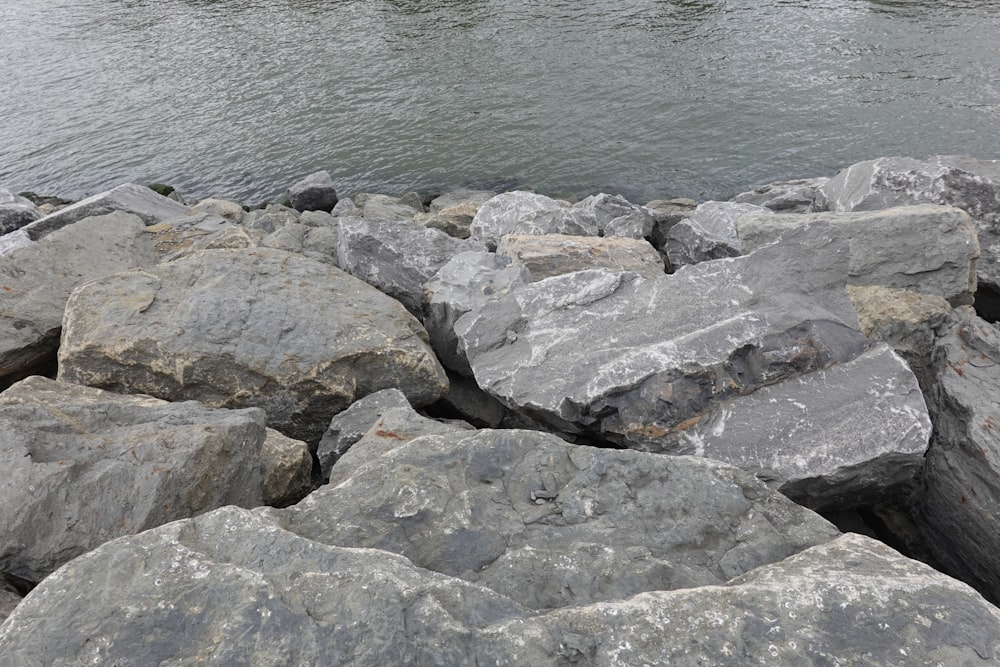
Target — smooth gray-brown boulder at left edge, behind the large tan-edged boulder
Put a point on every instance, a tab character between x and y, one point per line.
37	278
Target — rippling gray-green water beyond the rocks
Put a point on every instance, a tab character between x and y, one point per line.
655	98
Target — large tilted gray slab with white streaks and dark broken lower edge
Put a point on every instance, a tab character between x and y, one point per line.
633	360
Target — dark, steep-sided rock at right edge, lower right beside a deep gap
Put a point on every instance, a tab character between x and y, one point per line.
957	511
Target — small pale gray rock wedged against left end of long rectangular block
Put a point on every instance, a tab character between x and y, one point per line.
708	233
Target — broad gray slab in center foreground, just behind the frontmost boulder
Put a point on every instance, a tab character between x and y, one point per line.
550	524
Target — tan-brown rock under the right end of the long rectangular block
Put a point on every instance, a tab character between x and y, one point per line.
908	321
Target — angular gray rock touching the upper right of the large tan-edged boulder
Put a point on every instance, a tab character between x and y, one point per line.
396	256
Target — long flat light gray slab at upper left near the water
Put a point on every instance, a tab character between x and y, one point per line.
138	200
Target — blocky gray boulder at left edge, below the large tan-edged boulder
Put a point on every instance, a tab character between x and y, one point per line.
84	466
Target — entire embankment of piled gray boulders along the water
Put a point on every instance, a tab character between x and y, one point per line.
501	428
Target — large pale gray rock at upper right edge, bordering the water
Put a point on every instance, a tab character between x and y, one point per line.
953	180
